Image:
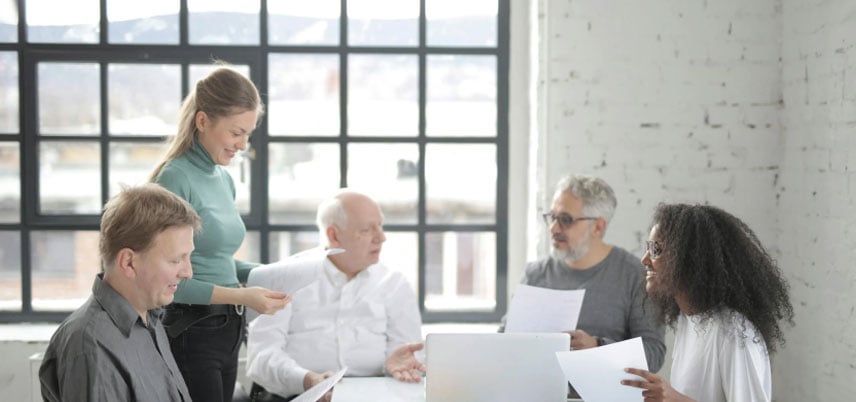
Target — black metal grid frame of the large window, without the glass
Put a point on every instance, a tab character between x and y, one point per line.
256	57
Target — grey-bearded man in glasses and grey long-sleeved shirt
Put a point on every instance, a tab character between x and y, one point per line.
614	307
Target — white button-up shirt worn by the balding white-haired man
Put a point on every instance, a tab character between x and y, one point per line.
333	323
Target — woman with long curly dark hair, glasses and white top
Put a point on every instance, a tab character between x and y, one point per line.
718	287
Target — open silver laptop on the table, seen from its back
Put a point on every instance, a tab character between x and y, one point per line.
495	367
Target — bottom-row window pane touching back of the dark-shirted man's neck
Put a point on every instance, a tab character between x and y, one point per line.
64	264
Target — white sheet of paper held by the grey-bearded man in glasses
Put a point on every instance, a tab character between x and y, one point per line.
535	309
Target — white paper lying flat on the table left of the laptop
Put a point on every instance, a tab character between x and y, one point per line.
373	389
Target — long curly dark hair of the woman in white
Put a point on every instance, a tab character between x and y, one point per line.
719	264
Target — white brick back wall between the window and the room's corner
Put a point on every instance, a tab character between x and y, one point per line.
668	101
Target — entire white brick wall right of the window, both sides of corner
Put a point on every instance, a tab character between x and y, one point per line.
747	105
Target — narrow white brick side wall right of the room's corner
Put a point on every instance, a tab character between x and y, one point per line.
817	237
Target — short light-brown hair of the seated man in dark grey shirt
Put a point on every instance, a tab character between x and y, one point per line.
134	217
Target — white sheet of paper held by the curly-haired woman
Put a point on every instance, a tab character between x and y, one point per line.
596	373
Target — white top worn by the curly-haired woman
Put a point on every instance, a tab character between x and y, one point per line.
719	360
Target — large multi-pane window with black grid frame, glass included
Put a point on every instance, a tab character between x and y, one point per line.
405	100
